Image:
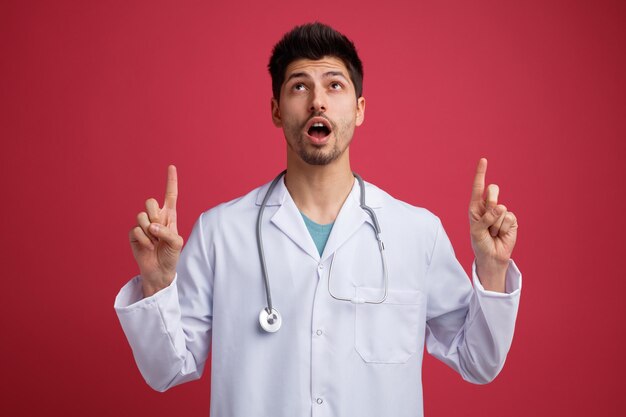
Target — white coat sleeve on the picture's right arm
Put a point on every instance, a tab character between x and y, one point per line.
468	328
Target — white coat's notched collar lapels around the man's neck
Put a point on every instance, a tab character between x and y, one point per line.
351	216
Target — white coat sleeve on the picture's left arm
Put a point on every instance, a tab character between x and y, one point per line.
170	332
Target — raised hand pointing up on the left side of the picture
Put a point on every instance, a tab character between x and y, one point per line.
155	241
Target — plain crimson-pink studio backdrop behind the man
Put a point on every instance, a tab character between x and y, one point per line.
98	97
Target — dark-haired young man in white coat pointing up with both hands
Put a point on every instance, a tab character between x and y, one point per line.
347	316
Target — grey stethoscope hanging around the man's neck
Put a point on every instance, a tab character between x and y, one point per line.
269	317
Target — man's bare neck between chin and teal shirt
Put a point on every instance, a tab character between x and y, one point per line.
319	191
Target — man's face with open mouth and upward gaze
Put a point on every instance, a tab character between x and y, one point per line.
318	110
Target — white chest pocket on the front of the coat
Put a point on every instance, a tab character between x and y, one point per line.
389	332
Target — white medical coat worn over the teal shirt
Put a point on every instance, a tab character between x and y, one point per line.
330	358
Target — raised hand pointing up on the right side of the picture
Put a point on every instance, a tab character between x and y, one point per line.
493	231
